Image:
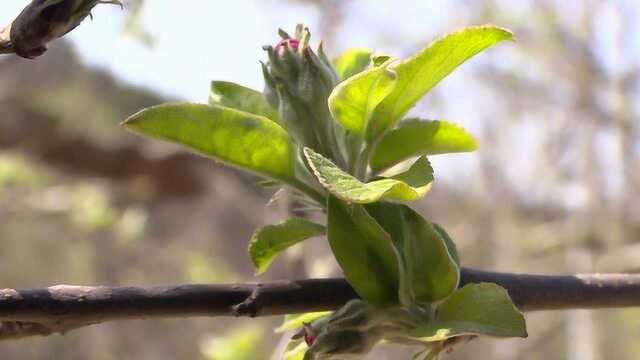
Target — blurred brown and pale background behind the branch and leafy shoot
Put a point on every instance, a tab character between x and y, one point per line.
553	188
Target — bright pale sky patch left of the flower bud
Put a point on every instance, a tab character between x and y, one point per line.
225	43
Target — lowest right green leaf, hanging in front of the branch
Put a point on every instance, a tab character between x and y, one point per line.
476	309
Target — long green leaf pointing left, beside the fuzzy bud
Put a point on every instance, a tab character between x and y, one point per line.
248	141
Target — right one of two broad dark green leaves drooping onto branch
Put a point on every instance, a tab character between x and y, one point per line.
430	271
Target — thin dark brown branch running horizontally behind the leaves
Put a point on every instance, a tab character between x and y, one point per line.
63	308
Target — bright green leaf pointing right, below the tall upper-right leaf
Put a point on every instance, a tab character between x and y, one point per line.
417	137
